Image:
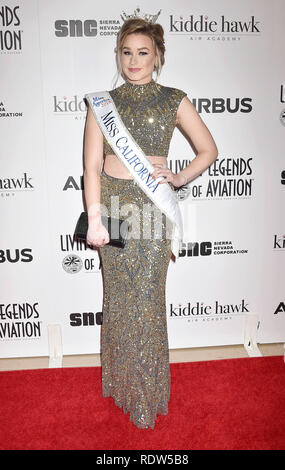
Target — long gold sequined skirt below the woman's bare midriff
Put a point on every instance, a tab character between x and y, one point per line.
134	341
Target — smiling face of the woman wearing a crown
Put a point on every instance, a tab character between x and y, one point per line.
138	58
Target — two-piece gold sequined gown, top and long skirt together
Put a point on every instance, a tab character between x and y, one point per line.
134	341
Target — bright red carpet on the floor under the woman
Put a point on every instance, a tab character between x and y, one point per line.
224	404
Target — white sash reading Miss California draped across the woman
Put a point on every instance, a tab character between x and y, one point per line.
134	159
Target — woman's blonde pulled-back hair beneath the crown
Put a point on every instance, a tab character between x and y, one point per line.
154	31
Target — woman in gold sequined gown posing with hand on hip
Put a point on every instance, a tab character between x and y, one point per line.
134	341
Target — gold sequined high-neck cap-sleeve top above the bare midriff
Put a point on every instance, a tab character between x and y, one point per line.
149	113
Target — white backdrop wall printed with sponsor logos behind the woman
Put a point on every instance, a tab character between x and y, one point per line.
229	57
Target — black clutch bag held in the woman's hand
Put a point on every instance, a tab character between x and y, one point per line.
117	228
